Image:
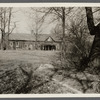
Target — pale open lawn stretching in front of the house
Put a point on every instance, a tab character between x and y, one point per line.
35	57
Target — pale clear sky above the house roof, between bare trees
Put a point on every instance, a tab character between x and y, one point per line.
23	22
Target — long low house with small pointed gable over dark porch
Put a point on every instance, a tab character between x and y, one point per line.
28	42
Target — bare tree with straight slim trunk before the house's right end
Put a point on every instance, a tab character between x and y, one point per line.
59	14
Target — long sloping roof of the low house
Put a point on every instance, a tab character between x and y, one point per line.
31	37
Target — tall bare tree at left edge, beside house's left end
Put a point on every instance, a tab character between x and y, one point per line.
6	27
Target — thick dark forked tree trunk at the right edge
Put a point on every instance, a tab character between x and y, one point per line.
94	55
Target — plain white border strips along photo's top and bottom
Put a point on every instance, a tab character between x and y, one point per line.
48	5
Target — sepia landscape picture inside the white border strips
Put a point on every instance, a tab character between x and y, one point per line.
50	49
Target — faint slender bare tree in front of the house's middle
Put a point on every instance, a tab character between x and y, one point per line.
36	24
